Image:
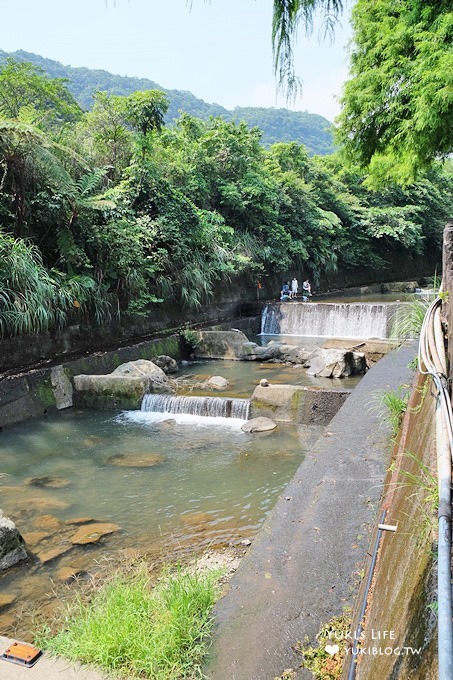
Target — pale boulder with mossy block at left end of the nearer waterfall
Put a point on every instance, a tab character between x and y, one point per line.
123	388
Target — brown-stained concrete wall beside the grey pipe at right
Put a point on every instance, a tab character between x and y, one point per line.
401	605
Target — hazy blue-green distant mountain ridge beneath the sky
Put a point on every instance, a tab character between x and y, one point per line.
277	125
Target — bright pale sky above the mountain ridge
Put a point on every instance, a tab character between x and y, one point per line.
219	50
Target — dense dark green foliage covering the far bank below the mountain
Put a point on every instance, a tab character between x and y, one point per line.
109	211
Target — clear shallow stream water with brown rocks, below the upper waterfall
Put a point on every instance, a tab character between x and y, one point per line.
172	483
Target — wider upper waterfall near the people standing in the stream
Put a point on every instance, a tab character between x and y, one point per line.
333	320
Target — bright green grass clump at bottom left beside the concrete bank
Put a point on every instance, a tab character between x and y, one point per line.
159	632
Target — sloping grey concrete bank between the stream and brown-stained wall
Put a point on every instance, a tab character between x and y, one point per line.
299	572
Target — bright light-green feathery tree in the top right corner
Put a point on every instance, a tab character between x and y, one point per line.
397	112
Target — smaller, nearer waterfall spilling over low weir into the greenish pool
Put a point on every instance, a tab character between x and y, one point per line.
216	407
